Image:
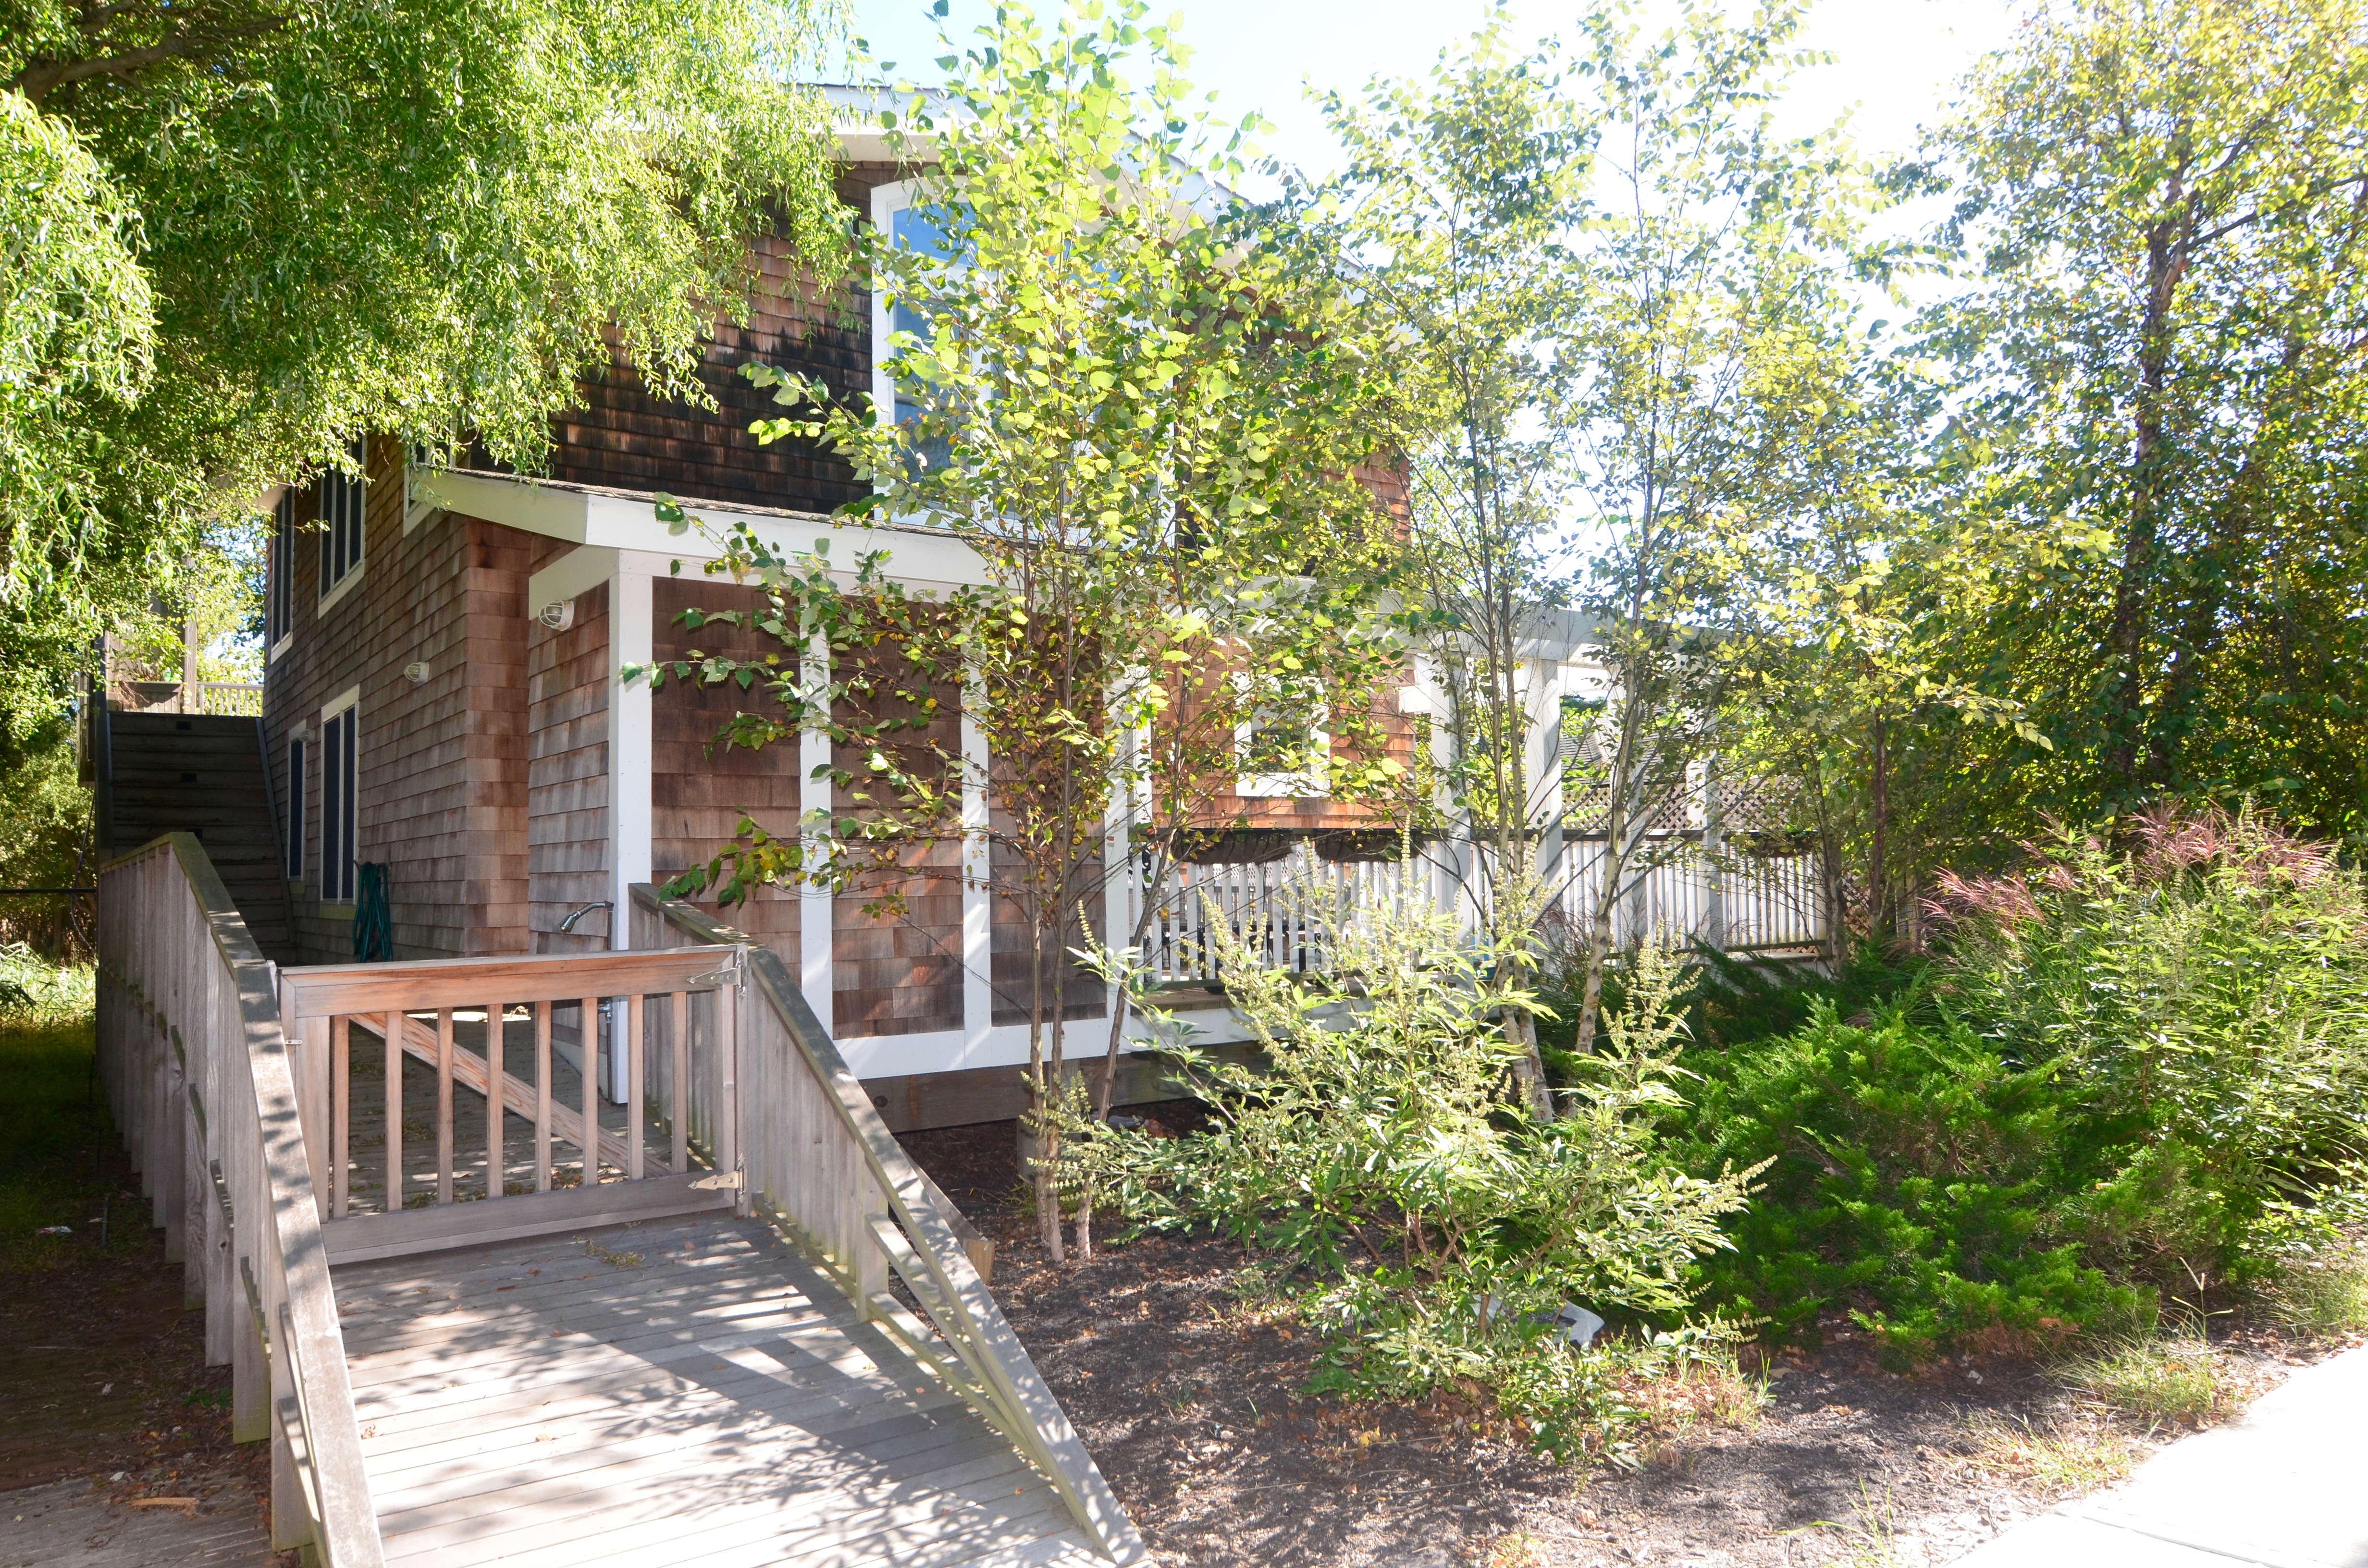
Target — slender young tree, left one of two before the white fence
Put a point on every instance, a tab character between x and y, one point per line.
1460	191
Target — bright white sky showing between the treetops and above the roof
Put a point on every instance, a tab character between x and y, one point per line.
1896	60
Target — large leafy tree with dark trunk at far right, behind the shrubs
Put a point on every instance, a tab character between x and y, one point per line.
2163	349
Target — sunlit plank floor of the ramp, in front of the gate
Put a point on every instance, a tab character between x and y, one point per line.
683	1392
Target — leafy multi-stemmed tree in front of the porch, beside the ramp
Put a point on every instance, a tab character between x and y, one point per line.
1121	392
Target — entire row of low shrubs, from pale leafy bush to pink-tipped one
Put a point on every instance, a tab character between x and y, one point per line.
2128	1081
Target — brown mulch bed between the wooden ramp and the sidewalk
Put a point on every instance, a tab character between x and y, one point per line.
1192	1401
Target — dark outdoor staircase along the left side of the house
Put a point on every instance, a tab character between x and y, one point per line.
169	773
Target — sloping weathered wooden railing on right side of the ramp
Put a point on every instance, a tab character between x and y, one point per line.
1003	1382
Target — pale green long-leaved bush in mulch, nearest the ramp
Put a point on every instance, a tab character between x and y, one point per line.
1429	1221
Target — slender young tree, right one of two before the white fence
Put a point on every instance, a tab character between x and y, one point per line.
1701	328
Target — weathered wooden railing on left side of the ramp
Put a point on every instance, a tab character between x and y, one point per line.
205	1086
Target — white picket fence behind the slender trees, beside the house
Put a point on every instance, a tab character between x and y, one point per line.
1282	906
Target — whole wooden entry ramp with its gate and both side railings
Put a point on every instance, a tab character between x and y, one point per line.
489	1316
